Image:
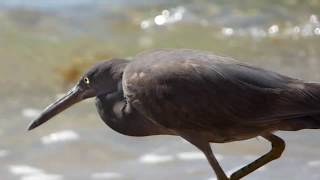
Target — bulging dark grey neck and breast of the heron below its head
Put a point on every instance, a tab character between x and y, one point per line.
114	111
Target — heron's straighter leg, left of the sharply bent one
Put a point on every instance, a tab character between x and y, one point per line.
204	146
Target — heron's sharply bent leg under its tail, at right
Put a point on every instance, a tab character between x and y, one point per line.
278	146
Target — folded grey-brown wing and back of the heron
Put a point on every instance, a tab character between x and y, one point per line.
187	89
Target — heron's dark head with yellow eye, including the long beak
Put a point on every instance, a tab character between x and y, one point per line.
102	78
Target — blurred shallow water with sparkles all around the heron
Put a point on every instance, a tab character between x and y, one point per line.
40	40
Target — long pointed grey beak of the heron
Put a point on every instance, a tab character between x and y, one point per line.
73	96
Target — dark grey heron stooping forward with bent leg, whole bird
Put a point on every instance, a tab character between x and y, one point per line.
199	96
